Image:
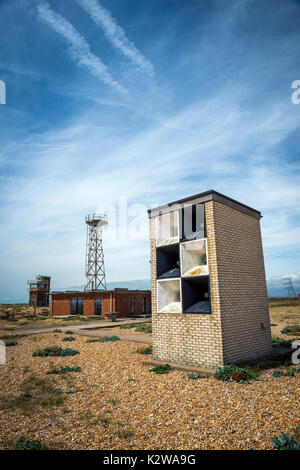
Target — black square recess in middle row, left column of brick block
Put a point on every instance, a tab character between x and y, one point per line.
167	261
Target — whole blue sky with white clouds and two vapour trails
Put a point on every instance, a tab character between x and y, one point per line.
150	101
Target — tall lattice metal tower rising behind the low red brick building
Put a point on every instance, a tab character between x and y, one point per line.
94	265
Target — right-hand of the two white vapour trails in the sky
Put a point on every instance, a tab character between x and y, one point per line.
115	34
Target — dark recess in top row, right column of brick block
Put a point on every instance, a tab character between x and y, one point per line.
192	222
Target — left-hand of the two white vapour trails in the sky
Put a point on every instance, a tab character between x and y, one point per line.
80	50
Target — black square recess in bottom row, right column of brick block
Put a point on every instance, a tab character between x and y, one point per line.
195	295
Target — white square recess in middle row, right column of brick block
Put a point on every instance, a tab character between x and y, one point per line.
194	258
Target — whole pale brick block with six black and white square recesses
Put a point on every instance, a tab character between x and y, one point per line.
209	296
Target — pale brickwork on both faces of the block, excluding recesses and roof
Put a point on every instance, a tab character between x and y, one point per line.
238	326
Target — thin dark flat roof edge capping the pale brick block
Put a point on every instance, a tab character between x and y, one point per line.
204	197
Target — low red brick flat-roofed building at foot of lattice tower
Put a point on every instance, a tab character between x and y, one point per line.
88	303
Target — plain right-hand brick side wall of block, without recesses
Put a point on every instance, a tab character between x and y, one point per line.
242	284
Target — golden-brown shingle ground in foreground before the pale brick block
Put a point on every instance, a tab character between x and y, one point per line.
119	404
